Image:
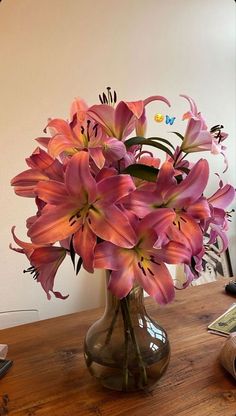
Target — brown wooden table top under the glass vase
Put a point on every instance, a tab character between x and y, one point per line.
49	377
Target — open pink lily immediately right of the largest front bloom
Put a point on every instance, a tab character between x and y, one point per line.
185	198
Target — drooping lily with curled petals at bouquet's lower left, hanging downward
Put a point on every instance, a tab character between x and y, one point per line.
44	261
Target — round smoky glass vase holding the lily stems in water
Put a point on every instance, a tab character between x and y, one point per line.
126	349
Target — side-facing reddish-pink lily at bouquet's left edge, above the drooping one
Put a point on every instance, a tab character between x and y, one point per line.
42	168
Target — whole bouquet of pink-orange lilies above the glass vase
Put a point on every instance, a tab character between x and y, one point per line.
105	200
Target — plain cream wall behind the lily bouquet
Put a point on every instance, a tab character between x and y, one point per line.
54	50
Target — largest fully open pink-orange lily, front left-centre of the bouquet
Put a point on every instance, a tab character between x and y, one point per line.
83	208
